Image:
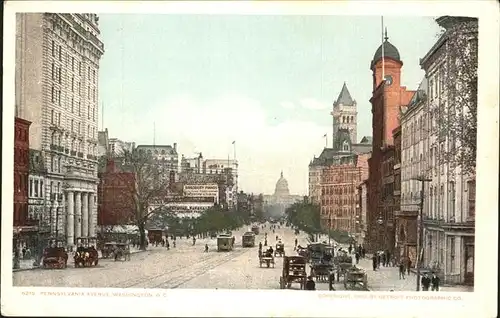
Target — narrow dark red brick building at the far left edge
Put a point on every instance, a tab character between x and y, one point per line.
21	172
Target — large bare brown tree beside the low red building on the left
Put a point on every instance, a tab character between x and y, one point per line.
150	185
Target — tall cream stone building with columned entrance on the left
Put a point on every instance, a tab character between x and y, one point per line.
57	68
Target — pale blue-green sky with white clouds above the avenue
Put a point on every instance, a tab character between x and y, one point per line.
265	82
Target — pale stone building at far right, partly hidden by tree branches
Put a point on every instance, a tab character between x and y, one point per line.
449	215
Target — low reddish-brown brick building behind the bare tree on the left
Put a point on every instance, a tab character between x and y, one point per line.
115	205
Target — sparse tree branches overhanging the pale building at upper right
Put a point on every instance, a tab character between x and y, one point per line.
457	119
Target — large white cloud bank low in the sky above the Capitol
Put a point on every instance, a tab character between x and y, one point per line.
210	127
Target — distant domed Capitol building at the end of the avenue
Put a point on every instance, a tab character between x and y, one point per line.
277	203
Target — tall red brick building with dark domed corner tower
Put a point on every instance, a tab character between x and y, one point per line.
388	96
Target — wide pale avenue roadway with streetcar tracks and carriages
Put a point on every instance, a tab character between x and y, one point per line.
187	266
